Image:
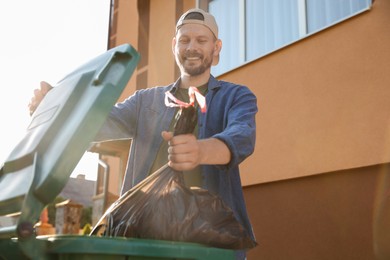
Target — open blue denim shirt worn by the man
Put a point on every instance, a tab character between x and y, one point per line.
230	117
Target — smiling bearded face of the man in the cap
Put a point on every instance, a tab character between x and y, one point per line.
194	48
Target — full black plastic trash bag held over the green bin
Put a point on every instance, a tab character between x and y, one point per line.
162	207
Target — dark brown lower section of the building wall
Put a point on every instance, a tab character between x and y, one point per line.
321	217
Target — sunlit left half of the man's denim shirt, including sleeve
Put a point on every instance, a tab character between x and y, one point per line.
141	117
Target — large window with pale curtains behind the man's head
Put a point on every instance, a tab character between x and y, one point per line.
250	29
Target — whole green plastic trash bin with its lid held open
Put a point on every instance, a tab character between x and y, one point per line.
39	167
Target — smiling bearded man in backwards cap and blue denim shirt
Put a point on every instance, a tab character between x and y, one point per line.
225	134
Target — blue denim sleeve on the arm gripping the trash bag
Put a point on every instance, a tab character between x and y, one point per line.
233	109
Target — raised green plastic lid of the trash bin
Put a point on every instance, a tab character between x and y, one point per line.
60	132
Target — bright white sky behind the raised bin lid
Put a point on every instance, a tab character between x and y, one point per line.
44	40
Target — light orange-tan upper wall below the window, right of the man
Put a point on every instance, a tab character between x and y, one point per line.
324	101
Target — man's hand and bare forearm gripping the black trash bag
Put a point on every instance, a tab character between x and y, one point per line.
185	152
